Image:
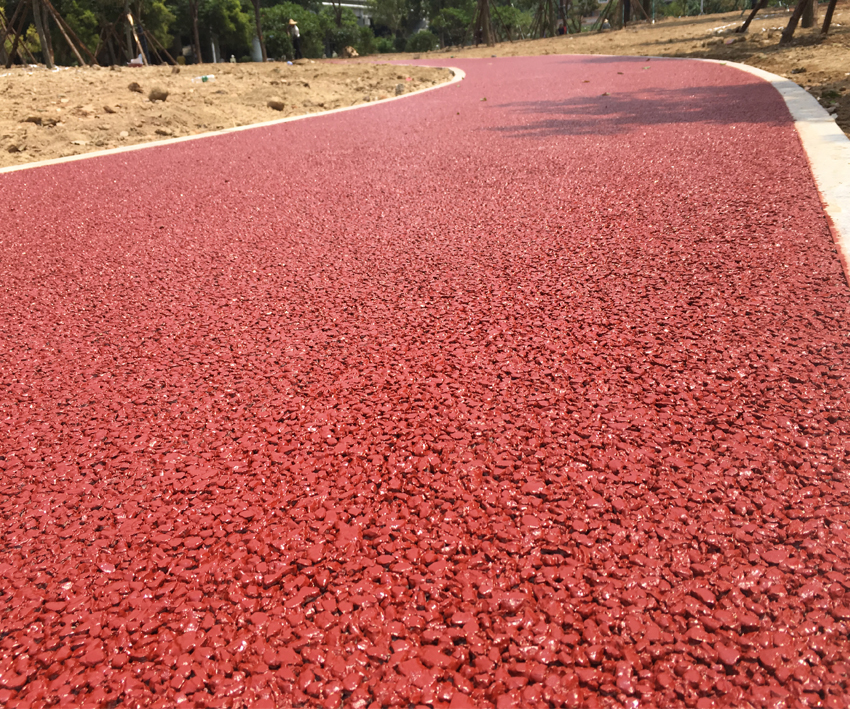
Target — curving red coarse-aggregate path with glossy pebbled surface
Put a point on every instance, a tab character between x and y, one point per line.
530	391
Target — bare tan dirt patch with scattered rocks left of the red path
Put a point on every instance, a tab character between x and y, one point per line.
51	114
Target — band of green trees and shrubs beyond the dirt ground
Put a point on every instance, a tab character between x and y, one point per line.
169	26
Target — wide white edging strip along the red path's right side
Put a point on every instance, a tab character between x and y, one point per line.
827	148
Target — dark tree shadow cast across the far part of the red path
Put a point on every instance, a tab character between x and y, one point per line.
622	112
